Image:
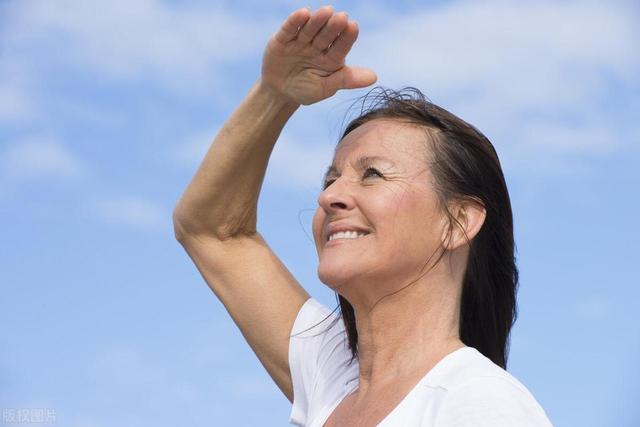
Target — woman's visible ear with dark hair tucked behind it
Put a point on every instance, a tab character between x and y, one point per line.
467	217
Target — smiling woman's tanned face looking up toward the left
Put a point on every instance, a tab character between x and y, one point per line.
379	185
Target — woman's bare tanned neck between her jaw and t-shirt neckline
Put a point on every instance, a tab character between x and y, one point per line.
406	333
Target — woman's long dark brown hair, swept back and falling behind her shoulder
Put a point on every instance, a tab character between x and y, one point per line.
465	165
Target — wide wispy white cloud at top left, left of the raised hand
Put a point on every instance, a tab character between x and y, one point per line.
147	39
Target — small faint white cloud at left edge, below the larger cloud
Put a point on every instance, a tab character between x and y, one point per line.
40	158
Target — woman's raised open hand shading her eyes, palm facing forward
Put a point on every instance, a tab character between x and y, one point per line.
304	60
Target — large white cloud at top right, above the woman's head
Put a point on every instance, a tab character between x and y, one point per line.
532	73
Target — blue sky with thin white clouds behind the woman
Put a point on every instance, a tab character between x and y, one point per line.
106	109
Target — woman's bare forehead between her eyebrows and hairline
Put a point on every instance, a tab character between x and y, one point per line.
402	143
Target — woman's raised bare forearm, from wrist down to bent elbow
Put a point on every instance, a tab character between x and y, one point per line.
222	198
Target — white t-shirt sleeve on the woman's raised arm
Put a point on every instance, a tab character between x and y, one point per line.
318	360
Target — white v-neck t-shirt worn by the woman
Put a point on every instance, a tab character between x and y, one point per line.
464	389
